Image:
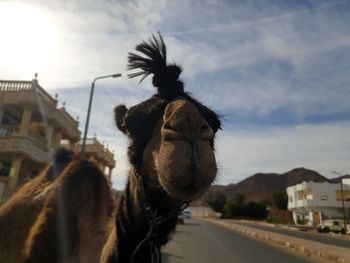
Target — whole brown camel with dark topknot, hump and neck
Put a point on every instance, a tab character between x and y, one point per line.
67	213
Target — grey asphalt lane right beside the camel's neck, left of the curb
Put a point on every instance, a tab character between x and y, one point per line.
204	242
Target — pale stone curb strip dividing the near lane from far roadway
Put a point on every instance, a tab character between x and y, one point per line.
331	254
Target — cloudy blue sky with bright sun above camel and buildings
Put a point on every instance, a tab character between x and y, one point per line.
277	71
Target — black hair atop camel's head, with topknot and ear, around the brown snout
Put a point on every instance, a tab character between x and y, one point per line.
150	58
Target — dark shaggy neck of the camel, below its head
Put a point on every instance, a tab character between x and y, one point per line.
132	224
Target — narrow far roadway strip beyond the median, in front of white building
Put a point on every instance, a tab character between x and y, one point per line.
318	237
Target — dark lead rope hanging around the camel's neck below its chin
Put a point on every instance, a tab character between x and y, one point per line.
153	221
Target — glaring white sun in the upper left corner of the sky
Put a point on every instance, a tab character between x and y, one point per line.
29	39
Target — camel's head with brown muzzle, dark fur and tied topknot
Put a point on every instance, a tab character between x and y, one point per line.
171	134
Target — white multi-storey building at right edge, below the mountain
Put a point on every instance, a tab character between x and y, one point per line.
311	202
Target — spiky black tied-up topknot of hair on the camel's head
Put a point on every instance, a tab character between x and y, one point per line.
152	60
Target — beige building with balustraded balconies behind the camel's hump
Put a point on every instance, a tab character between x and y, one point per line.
31	128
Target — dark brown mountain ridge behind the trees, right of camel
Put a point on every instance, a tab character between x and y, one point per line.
262	185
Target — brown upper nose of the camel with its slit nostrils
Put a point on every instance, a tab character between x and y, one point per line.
182	121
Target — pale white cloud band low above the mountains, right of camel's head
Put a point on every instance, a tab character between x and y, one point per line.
323	148
